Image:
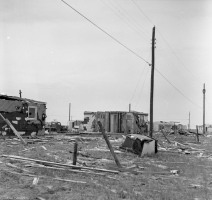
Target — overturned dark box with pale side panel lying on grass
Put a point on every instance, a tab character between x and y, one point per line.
140	144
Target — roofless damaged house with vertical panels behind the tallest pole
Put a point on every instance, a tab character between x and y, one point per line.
116	122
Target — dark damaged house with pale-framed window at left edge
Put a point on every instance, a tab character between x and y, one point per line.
26	115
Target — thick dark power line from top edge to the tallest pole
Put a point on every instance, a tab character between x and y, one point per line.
113	38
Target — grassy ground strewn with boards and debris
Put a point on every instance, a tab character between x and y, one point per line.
180	170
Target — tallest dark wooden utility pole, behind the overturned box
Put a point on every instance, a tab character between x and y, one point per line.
152	82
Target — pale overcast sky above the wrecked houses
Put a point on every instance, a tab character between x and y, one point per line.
53	54
